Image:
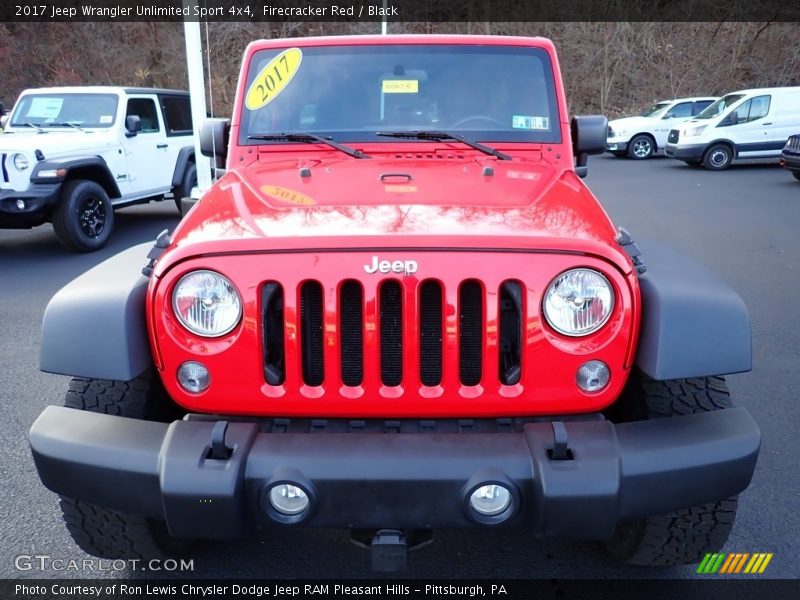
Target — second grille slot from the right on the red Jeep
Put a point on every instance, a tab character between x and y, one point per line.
470	342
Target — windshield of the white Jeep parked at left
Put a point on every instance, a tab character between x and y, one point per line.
65	110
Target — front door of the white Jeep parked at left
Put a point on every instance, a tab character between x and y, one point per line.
146	153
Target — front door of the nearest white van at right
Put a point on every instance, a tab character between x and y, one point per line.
749	128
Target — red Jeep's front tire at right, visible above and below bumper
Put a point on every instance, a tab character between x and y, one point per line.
686	535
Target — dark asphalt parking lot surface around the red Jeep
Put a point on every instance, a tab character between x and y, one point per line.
743	223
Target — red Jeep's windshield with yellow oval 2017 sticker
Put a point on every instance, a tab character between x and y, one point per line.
350	93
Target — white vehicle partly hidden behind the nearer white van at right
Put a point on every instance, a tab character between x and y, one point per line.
641	137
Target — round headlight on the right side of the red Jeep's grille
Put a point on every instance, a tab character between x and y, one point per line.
578	302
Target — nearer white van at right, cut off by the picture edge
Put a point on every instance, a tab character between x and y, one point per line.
741	125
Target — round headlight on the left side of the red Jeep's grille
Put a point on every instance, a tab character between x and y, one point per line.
206	303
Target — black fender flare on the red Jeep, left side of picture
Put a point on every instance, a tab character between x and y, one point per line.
95	326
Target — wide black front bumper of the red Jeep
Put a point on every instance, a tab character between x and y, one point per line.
399	480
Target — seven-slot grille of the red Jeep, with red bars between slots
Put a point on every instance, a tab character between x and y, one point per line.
393	303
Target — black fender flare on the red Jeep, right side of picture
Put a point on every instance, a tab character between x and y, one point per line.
693	324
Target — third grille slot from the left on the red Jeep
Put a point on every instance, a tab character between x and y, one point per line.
351	326
